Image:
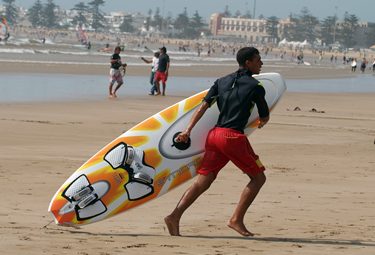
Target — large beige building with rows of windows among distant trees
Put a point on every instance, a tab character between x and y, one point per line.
252	30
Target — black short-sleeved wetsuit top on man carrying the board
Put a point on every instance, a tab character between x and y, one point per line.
236	95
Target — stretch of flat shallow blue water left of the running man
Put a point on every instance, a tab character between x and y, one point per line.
66	87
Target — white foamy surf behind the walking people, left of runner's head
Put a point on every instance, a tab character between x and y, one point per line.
57	53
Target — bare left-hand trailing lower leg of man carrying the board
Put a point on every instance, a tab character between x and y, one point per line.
191	194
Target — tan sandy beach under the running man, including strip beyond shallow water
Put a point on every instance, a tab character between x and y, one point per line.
318	199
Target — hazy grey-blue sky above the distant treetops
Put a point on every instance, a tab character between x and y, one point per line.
363	9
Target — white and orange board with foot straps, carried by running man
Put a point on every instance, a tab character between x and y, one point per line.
144	162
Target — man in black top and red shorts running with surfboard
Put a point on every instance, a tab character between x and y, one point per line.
236	94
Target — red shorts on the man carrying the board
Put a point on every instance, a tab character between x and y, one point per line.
224	144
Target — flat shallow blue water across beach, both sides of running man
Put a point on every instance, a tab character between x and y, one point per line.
64	87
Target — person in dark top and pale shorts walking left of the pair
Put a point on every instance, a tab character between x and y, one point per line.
115	72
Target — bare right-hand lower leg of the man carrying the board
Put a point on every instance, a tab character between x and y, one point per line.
248	195
